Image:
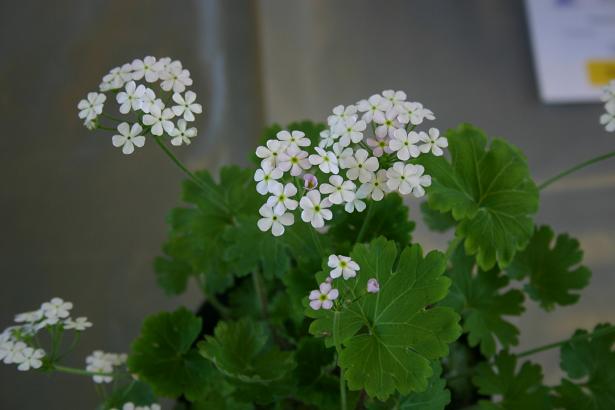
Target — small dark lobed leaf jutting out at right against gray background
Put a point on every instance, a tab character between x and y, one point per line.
554	273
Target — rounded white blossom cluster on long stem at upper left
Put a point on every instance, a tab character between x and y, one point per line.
152	96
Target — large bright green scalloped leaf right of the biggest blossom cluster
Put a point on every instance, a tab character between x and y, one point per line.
489	191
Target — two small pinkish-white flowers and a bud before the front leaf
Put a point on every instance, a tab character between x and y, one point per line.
341	267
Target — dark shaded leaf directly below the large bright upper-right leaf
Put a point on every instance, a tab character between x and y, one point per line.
479	296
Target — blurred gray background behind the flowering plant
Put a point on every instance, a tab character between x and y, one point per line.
84	222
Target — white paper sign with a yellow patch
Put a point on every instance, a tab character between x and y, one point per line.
573	44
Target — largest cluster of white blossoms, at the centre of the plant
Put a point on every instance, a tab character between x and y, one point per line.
365	153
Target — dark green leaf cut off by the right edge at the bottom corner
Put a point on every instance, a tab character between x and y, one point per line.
590	361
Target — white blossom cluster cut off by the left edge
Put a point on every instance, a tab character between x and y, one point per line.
18	343
